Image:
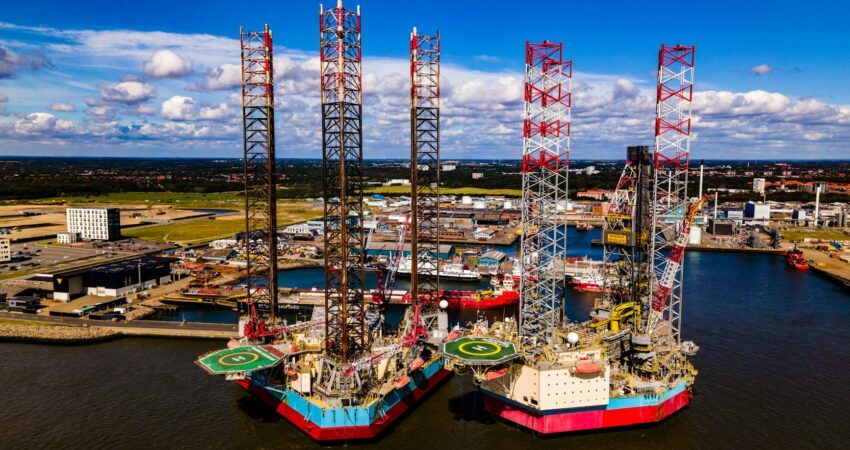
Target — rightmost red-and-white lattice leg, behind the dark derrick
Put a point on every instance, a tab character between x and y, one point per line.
672	154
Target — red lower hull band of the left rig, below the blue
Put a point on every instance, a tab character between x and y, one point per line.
352	433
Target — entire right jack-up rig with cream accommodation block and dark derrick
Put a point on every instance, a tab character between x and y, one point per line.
627	365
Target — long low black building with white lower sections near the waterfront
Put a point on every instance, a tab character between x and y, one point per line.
112	280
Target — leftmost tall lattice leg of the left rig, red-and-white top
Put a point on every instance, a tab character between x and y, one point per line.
260	198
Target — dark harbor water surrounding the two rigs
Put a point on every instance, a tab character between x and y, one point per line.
773	373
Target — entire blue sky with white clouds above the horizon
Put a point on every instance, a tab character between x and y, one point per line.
161	79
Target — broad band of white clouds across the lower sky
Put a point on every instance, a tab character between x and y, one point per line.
481	110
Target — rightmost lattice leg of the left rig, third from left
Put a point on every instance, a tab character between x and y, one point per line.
425	170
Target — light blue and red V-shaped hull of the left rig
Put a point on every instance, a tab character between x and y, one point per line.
352	423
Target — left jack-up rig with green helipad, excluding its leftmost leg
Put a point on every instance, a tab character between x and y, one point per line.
339	377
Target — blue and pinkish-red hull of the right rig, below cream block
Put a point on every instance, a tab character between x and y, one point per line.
620	412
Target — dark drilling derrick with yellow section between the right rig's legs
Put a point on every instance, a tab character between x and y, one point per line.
626	237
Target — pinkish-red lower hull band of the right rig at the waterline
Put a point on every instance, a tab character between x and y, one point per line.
586	420
